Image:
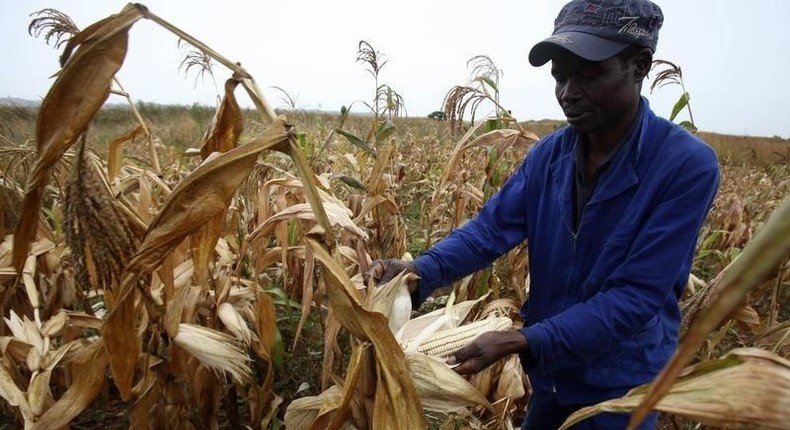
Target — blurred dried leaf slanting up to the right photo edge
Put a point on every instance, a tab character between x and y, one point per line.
762	254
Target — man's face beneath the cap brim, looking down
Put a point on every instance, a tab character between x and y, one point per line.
595	96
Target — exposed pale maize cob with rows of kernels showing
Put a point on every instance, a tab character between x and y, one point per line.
446	342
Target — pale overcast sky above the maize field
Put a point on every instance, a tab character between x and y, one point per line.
733	53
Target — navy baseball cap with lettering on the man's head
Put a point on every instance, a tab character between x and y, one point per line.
598	29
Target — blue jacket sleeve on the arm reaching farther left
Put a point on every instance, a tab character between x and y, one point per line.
499	226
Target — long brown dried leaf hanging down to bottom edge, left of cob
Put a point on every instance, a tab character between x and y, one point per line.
397	405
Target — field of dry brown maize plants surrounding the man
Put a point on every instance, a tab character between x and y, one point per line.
187	268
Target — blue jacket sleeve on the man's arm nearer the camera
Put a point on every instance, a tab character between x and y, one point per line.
638	288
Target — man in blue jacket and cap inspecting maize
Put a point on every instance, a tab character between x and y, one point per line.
610	206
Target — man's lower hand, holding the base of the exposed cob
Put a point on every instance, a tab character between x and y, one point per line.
486	349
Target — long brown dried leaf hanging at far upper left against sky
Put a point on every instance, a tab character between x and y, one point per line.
80	90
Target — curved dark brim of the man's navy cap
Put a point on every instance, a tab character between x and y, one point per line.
587	46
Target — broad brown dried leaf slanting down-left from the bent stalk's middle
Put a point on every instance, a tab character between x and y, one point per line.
203	194
